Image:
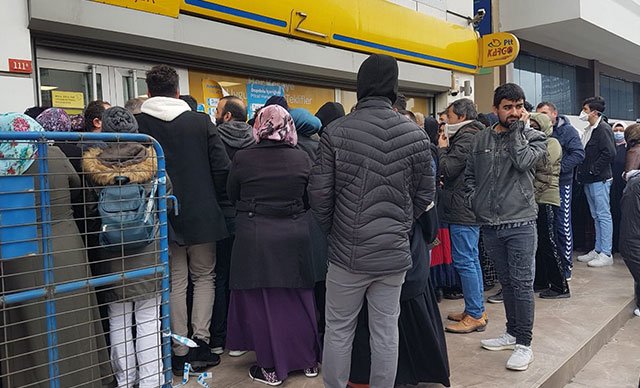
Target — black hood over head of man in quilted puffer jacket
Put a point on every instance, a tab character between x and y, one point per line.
378	77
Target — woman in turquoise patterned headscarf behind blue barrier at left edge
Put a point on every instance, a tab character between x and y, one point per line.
82	352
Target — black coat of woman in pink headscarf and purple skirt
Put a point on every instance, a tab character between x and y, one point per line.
268	184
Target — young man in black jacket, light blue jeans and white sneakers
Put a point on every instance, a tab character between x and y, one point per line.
595	173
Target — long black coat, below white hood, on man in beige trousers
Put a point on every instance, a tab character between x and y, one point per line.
198	165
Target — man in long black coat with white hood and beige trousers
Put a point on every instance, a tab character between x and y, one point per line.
198	166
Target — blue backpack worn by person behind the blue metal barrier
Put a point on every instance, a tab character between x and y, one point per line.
126	212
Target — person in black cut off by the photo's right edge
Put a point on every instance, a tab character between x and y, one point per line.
630	209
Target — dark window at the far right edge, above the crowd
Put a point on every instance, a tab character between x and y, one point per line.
620	98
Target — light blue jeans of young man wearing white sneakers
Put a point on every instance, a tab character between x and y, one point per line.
598	198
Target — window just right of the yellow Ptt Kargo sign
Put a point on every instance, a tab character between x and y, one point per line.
544	80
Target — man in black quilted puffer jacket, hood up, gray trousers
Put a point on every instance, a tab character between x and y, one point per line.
372	179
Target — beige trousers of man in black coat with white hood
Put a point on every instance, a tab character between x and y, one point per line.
197	262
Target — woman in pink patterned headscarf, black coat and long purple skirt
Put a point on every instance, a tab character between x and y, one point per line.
271	309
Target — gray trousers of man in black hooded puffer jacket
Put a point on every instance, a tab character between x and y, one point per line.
345	295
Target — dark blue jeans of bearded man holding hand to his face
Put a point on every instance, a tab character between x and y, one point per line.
514	252
